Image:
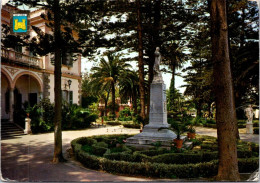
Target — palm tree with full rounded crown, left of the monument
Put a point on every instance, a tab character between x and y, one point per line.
107	74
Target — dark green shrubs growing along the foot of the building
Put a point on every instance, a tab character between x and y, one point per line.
42	115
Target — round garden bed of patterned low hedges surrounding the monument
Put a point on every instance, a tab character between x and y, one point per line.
108	153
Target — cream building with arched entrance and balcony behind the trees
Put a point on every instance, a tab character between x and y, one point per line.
26	78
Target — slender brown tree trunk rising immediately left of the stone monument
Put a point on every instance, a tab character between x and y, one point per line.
140	59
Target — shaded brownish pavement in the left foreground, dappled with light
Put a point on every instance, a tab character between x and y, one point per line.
32	161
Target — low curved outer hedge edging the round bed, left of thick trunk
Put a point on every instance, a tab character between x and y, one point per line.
144	169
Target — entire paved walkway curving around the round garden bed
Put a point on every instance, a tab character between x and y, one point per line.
29	158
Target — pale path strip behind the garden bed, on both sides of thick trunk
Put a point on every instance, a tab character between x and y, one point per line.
242	133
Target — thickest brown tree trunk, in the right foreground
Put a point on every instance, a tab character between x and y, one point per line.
225	114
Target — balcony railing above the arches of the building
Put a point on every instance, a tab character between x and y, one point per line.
21	58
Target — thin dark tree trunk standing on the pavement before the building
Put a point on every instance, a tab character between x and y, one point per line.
58	156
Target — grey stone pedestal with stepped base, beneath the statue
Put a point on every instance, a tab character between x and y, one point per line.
157	119
